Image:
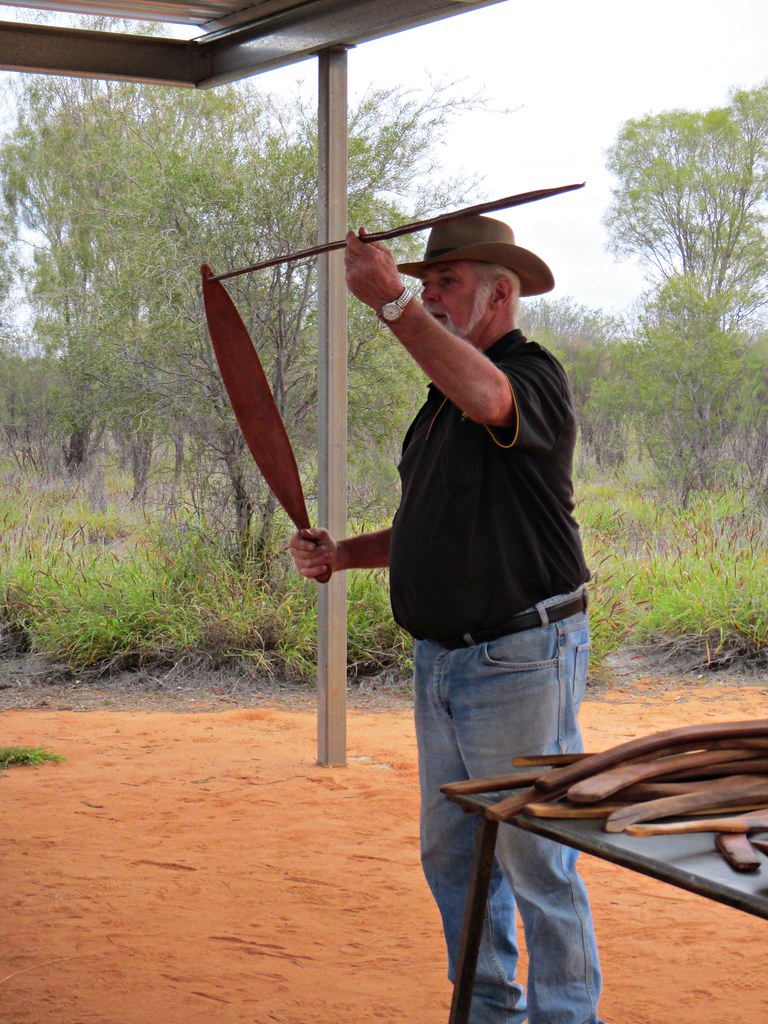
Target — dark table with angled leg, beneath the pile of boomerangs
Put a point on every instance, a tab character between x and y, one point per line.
689	862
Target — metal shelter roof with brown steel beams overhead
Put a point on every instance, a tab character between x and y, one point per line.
236	40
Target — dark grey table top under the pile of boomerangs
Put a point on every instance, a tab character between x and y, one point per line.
690	862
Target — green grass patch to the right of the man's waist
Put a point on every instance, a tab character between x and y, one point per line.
690	583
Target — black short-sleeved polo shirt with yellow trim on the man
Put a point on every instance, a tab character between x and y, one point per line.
486	528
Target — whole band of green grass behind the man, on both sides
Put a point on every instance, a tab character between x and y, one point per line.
108	588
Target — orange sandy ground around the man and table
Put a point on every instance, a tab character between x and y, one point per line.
202	868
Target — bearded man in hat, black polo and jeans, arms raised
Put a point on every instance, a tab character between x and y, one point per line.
488	574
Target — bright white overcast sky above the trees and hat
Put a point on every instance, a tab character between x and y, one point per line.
573	73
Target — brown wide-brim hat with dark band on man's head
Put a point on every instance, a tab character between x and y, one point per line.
487	241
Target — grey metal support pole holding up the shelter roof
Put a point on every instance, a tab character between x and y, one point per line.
332	402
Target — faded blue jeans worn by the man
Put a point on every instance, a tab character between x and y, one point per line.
477	708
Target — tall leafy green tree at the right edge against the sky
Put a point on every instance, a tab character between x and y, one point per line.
691	203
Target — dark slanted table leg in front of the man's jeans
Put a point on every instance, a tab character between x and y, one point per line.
475	916
